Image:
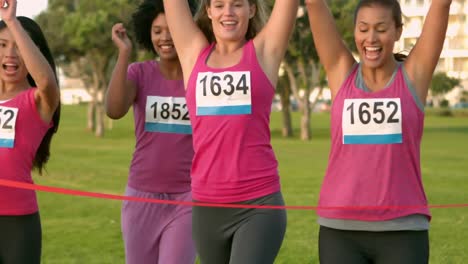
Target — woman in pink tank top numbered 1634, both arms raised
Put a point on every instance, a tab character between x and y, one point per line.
230	62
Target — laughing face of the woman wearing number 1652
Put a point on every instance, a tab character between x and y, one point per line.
375	34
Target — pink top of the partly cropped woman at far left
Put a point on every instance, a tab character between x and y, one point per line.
21	133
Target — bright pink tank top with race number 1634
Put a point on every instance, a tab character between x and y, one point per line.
230	113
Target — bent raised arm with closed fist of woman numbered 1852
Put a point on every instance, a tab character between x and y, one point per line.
121	92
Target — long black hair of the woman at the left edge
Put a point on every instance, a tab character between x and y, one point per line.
35	33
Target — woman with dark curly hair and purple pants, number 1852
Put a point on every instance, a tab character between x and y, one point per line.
160	169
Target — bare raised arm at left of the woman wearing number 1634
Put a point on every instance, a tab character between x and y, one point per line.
188	38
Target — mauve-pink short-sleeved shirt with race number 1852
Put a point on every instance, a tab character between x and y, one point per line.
163	152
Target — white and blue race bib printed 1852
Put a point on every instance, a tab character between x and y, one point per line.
167	115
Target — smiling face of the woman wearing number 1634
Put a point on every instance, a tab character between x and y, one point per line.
230	18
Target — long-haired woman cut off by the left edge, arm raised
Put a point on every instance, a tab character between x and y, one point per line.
29	116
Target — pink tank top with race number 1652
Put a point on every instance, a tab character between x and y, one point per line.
375	153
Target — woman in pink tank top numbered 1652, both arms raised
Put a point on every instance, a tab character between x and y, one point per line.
377	124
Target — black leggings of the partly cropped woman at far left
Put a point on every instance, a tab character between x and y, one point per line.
20	239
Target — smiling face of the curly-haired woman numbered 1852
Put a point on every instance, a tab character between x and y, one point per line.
161	38
